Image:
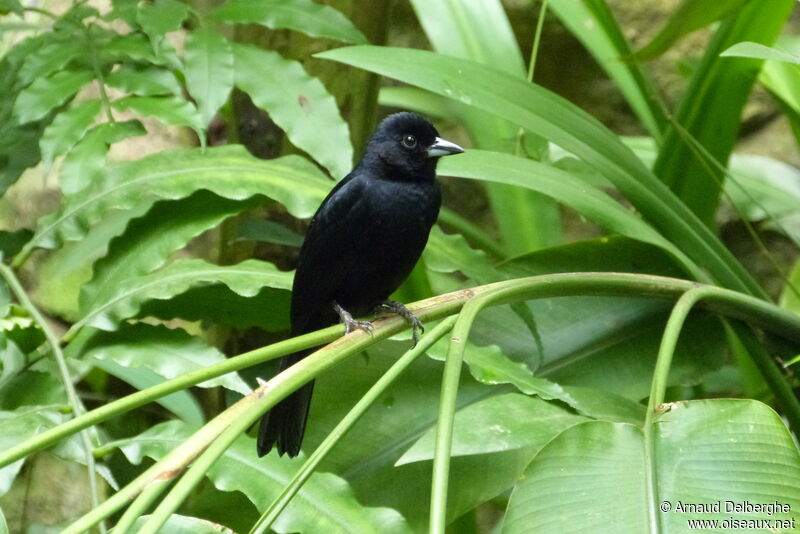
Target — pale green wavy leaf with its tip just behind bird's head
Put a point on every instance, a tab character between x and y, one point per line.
298	103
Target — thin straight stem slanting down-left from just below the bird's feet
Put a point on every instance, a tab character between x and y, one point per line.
300	477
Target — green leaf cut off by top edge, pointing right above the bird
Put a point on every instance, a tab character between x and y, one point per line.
304	16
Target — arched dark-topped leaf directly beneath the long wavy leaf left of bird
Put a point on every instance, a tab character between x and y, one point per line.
149	240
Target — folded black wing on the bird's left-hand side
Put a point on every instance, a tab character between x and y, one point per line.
327	254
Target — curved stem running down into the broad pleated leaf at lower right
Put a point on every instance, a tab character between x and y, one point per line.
659	386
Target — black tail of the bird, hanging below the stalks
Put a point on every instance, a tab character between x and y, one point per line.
285	423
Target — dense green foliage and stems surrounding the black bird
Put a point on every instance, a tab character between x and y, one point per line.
563	384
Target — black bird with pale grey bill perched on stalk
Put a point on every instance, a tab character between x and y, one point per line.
362	243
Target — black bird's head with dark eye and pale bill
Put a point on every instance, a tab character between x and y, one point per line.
408	146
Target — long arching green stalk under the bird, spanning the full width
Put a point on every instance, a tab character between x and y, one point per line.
730	303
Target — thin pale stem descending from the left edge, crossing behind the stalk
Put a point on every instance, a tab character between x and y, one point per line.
66	378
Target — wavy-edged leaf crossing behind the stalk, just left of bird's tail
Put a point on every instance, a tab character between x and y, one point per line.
167	352
